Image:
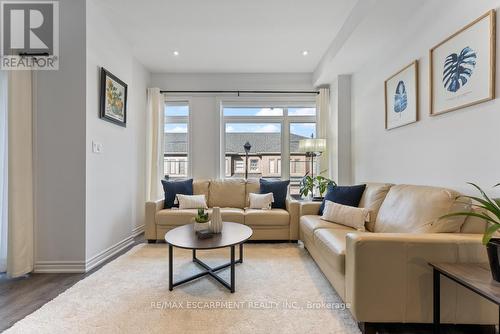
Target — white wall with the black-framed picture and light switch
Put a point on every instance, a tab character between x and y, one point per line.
115	178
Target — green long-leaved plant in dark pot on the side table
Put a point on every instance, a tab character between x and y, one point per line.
490	212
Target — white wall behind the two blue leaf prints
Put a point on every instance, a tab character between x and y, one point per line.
445	150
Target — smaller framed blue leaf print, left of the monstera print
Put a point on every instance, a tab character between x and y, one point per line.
401	97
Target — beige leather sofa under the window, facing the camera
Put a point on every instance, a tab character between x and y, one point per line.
231	195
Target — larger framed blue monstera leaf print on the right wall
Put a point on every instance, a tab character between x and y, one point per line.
462	67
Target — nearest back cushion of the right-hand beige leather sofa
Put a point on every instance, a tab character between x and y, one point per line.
416	209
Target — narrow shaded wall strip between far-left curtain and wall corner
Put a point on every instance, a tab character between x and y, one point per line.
59	134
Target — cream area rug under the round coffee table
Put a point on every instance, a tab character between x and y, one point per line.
279	289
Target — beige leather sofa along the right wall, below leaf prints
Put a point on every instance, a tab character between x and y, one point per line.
383	273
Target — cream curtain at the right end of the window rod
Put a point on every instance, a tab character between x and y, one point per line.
323	115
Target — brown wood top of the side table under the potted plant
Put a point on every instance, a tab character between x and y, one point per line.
475	276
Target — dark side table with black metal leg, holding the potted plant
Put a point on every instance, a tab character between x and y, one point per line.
475	277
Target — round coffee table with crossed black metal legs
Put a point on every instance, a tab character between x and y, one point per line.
185	237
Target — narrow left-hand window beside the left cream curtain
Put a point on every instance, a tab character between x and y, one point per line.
176	154
